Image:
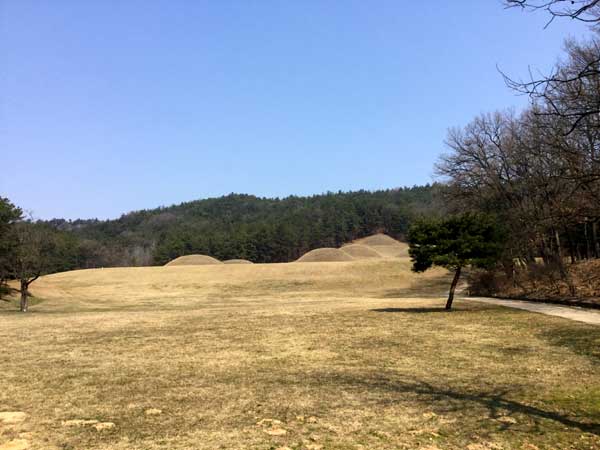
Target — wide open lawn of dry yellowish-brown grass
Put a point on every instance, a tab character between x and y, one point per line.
352	355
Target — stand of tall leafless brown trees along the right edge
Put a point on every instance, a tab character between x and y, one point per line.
538	171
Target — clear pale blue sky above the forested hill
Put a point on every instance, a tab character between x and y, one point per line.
112	106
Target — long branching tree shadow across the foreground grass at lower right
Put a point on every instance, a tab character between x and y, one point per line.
447	400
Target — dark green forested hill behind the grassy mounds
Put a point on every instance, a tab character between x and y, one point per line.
243	226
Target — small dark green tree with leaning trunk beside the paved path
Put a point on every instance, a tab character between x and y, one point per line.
456	242
